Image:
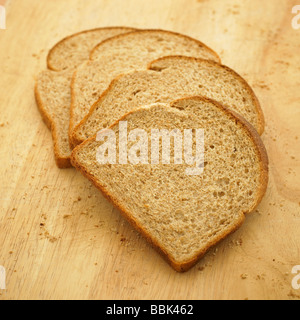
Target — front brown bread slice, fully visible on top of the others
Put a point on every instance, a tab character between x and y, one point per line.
183	216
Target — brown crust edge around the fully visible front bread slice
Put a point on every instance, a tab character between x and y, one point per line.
185	266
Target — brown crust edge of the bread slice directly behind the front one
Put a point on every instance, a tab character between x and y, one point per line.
75	139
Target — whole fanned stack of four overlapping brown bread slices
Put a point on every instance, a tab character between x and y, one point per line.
157	79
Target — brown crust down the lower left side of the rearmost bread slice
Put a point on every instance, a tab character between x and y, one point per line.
62	162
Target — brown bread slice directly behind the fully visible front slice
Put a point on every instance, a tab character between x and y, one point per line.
167	79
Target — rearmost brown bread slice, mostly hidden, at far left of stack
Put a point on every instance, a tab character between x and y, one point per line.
53	89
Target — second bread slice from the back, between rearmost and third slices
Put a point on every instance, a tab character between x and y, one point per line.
123	53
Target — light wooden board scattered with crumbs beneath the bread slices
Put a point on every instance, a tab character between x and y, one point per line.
59	238
